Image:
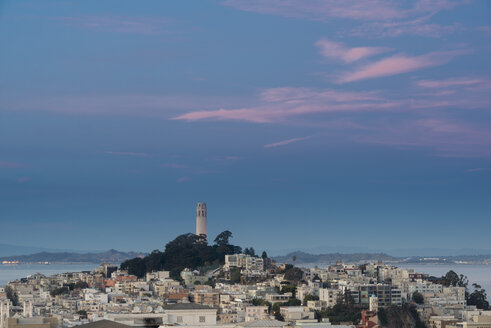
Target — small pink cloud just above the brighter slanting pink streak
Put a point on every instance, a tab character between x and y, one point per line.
337	50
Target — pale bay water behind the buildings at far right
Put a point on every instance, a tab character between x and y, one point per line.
479	274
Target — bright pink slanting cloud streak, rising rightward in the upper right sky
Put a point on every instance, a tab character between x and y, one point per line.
399	64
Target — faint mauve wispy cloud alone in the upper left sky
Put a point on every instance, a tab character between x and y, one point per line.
120	24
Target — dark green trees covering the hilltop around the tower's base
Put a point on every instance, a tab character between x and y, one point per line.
186	251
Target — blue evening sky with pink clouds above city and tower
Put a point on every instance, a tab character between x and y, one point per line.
302	124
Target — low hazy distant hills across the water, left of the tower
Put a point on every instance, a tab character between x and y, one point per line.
111	256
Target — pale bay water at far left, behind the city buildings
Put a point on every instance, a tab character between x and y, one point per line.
13	272
